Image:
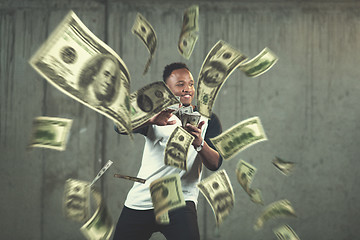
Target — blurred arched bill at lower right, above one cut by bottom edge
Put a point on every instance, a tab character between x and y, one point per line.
281	208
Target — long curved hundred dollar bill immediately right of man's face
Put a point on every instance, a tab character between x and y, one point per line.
220	62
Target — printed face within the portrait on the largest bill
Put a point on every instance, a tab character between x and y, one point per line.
105	78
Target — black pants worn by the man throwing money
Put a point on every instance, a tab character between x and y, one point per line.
141	224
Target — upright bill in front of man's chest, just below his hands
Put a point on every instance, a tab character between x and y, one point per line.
177	147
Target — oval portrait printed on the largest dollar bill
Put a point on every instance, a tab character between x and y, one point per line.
99	82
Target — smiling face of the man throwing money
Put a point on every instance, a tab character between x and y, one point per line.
181	83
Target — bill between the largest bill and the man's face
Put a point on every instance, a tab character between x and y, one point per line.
148	101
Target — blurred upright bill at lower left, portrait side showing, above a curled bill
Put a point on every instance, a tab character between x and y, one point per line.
76	202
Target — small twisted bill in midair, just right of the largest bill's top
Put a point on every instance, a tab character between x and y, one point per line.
143	29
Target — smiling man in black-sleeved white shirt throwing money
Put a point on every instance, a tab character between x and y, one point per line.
137	220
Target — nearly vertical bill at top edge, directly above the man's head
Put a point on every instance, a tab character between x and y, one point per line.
189	32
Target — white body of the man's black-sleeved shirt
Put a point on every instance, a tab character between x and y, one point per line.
153	167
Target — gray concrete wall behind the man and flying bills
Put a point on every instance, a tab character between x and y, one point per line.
308	103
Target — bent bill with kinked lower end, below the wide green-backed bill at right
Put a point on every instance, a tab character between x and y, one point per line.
245	173
